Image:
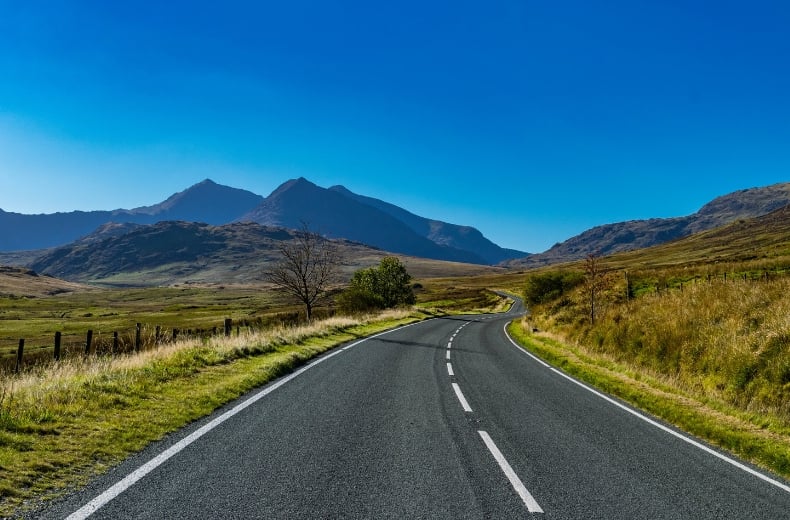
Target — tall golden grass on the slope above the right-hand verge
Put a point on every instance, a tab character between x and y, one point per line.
723	340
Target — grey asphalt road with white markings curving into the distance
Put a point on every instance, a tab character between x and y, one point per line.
441	419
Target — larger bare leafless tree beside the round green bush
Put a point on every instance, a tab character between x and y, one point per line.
307	266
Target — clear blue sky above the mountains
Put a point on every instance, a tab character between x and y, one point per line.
531	120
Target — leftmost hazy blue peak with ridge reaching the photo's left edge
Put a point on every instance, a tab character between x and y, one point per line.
204	202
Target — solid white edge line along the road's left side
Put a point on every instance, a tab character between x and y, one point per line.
125	483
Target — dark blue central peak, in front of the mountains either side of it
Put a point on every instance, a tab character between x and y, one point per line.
336	215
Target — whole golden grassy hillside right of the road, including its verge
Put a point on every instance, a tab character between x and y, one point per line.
696	331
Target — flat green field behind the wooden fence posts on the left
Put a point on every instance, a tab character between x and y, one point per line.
104	311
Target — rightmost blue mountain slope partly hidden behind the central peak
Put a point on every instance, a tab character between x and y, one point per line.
465	238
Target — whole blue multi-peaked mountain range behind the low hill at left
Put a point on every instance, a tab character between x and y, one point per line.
335	213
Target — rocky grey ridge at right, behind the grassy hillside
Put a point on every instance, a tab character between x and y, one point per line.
637	234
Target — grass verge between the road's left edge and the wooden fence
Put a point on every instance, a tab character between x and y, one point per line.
63	424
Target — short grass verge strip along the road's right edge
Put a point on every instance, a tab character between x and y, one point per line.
758	439
